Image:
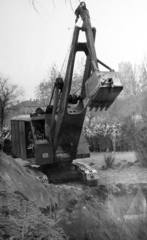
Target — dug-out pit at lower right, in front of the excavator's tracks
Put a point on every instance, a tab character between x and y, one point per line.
113	212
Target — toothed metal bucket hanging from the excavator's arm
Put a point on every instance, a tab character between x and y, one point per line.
101	89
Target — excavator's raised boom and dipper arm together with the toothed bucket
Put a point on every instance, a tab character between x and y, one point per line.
99	90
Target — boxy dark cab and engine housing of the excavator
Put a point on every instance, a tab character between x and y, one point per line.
29	140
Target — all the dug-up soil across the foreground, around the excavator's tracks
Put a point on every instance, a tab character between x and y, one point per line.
30	208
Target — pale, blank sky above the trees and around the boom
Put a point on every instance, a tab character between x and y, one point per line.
31	42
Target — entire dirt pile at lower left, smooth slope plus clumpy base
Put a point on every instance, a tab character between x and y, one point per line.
22	201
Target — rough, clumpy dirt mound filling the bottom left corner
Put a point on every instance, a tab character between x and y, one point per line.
20	219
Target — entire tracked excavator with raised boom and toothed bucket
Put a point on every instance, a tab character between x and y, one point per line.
54	137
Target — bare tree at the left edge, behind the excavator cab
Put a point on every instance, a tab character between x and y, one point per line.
9	94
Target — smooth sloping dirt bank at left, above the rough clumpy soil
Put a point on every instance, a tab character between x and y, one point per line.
15	178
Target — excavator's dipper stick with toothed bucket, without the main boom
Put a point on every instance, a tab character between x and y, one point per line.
101	87
